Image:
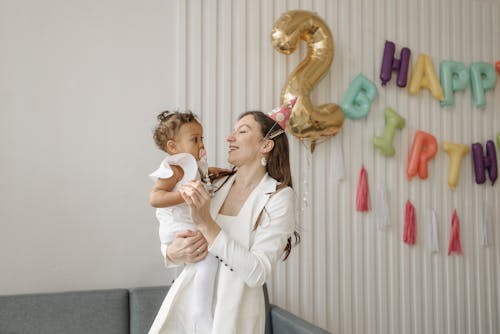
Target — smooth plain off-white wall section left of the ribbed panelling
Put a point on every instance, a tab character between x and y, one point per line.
81	83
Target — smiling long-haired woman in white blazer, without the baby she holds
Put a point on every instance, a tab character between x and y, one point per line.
247	226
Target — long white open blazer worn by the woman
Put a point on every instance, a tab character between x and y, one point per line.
243	268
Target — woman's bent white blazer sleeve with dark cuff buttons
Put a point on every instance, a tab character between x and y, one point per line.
254	266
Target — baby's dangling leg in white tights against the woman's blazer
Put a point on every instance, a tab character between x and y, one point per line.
204	292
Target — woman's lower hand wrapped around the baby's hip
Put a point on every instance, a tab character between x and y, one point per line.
187	247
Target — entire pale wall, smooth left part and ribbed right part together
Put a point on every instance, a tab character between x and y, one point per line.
81	83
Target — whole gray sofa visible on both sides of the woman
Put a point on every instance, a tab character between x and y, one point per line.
119	311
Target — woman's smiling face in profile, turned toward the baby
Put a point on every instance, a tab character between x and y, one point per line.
245	142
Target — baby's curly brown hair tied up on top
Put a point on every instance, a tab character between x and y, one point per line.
169	123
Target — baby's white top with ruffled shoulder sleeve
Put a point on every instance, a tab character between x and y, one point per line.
175	218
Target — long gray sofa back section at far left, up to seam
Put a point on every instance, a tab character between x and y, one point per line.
80	312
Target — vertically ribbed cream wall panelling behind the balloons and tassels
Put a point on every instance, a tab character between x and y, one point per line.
346	275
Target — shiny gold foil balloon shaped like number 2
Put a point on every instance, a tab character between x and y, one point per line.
307	121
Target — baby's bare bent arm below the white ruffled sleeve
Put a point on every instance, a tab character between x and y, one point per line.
161	195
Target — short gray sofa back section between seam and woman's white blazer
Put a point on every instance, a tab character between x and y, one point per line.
144	304
